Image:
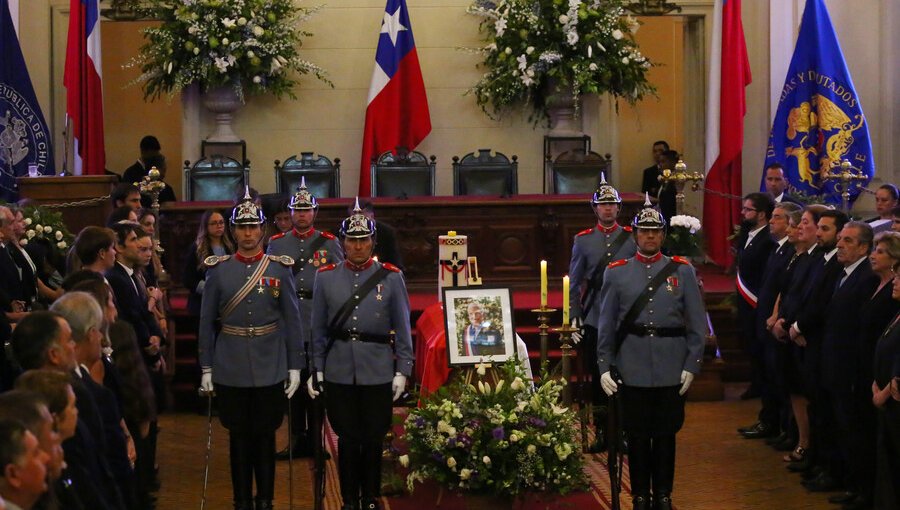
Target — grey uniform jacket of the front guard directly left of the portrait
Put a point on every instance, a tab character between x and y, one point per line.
384	309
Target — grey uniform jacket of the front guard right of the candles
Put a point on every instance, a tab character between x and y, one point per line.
651	361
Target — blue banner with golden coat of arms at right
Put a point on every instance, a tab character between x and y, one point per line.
819	119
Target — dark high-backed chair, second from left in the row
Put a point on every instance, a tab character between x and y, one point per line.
323	177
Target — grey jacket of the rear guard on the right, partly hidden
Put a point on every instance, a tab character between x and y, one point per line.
589	247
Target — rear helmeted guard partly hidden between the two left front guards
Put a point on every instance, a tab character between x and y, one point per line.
310	249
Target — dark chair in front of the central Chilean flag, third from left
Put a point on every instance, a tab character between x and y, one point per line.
403	173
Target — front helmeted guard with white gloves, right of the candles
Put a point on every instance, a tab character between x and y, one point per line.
651	330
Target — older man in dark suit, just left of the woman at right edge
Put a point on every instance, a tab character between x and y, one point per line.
840	354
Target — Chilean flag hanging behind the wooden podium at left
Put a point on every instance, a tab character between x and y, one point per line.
84	87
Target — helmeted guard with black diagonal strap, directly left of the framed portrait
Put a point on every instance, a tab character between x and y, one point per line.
362	350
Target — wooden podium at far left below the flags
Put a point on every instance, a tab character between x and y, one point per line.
52	189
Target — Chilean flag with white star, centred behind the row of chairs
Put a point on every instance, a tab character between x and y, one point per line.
397	112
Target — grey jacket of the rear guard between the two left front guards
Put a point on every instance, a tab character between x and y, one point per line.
306	263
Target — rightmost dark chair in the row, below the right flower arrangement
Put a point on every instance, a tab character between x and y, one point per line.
575	171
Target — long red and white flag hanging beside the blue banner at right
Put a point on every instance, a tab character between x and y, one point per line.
729	74
